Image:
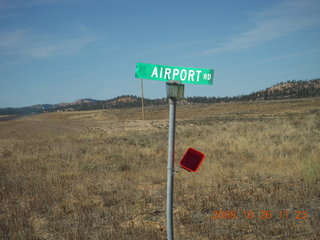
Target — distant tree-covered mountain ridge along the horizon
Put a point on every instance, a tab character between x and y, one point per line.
284	90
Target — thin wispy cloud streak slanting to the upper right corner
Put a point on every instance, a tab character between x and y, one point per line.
270	24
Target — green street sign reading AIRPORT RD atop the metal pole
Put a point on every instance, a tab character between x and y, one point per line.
169	73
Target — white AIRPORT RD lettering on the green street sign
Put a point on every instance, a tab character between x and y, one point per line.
175	73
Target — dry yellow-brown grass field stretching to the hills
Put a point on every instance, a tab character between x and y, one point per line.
102	174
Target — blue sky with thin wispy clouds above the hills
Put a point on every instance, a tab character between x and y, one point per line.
54	51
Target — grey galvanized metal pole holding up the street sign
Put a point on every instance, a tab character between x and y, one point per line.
170	174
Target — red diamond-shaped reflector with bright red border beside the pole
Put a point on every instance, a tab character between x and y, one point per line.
192	160
